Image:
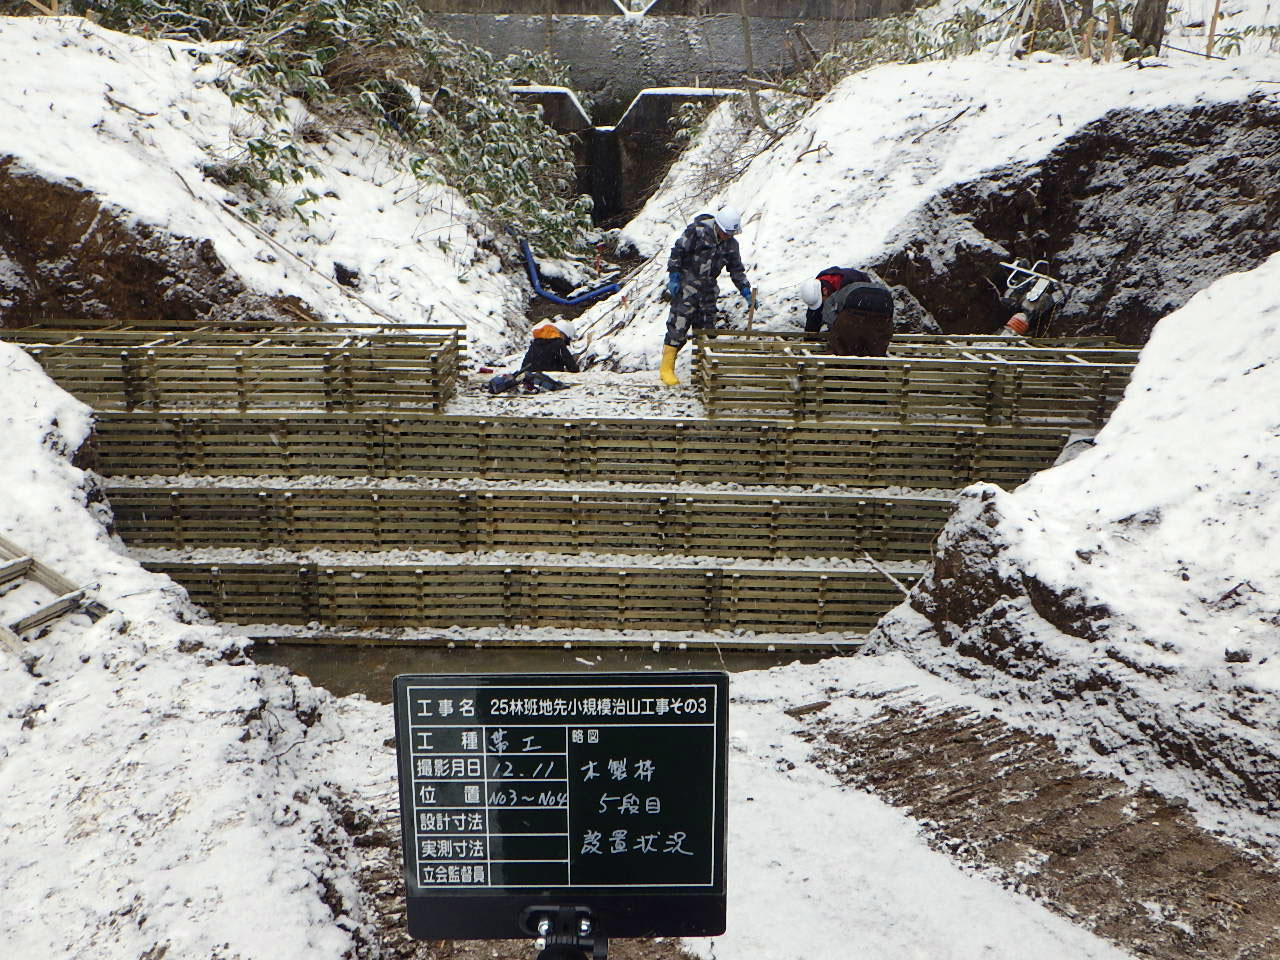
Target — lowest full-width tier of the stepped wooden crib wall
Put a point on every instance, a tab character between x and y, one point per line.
602	598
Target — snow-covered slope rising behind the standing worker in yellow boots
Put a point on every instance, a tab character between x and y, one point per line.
849	181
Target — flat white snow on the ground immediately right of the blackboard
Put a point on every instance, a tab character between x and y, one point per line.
877	893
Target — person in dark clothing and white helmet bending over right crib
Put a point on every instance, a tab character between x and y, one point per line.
856	308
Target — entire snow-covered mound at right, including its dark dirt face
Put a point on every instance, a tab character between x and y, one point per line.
1130	600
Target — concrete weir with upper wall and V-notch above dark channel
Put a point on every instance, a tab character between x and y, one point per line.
638	62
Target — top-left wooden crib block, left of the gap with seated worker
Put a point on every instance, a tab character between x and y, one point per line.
225	367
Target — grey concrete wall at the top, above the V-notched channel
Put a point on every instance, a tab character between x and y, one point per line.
611	60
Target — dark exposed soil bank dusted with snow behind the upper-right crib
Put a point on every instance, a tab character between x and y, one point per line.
1137	212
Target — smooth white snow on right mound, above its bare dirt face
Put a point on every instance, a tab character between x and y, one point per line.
1204	508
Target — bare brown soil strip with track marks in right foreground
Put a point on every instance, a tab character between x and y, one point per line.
1126	863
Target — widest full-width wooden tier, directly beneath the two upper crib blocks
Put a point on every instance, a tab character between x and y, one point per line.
615	451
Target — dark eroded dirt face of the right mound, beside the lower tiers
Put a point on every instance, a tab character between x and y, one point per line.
977	616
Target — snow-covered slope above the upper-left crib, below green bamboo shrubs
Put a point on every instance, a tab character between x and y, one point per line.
136	122
